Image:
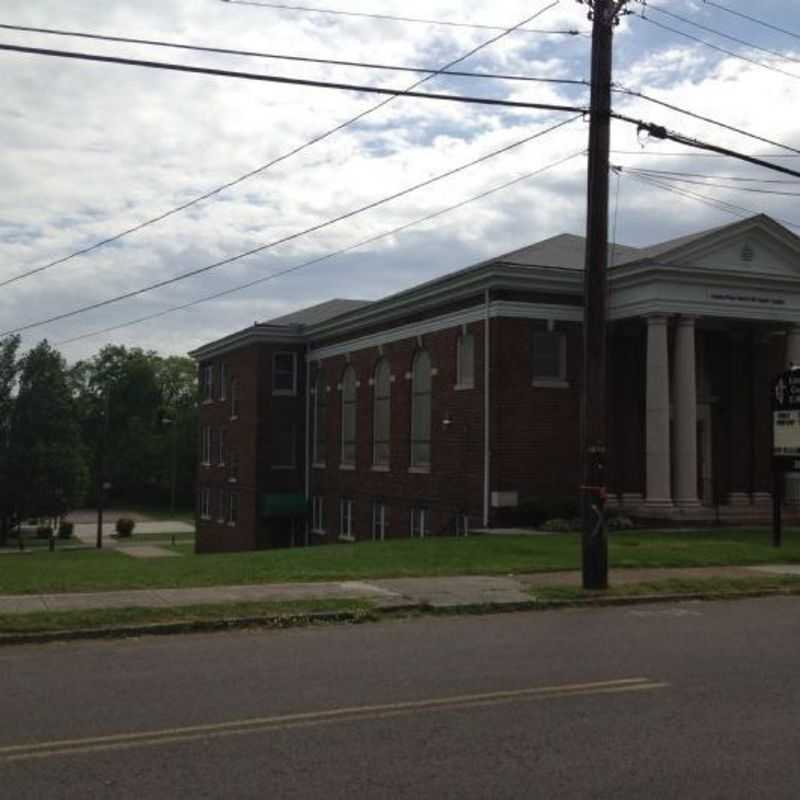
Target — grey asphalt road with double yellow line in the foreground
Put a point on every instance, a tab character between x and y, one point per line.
698	700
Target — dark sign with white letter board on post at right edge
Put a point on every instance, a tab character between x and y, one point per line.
785	440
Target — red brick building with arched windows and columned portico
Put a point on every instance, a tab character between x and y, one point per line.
442	408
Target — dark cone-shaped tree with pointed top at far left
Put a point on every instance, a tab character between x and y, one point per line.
47	467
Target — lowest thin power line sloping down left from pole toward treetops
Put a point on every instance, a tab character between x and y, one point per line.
327	256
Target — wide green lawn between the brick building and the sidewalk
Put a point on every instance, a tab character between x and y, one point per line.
91	570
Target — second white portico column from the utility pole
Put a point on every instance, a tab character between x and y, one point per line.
685	388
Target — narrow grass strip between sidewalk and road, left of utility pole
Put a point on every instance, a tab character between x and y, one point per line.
118	617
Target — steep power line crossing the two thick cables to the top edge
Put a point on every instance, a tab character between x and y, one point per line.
316	139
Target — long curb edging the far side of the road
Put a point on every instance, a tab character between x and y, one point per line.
284	621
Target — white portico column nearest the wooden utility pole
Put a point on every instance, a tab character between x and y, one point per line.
657	459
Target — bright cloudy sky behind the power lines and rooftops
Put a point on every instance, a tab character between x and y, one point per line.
92	149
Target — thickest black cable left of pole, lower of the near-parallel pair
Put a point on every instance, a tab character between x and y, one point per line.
253	76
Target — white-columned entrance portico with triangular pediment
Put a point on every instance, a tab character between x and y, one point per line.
719	315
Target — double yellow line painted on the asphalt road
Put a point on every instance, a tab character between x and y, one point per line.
314	718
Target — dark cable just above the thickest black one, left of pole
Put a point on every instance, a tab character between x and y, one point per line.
284	57
